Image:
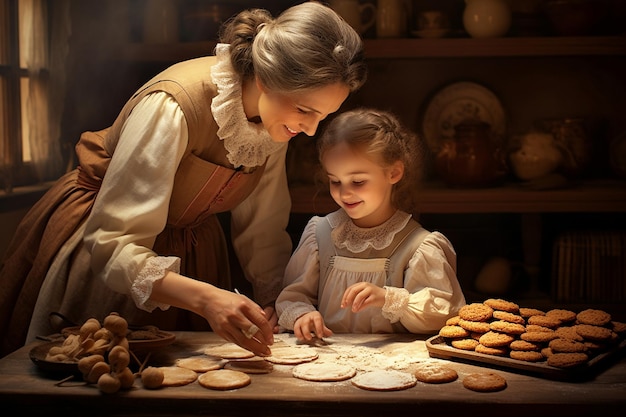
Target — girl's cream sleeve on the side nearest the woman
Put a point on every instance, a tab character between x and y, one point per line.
300	285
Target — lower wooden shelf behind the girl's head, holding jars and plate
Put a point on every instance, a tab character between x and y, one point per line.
590	196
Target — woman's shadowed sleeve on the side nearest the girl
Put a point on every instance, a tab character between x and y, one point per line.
259	234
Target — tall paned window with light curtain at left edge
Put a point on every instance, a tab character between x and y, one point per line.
31	91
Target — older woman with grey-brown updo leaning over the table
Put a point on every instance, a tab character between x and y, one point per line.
134	229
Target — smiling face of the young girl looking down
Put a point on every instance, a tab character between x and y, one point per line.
361	186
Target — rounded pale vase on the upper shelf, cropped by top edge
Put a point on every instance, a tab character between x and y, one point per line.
486	18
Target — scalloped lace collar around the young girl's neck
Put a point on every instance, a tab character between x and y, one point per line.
345	234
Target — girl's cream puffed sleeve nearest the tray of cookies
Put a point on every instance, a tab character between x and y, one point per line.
431	291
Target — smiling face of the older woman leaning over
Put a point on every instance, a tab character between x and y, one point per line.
286	115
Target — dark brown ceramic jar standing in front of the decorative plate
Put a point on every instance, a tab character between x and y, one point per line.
470	159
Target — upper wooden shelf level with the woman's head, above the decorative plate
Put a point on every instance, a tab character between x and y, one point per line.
409	48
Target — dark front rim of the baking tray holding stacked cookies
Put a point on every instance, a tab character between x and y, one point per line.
438	348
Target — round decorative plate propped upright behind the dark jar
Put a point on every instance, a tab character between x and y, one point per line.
457	102
